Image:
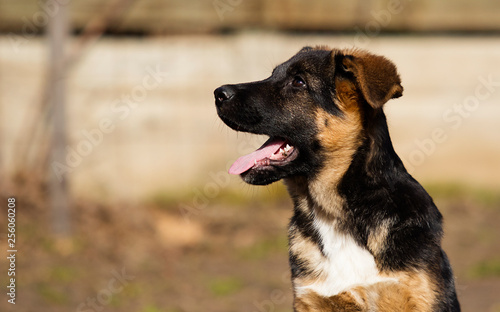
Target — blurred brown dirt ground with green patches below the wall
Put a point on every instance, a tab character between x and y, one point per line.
229	256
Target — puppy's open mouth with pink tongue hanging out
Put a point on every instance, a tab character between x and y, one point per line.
276	152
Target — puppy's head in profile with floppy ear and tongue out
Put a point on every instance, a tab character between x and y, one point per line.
314	107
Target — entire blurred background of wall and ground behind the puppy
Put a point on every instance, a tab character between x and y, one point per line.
112	149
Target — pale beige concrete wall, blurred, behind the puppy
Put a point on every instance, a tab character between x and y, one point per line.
148	105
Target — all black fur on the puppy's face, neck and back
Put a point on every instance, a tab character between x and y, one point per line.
376	188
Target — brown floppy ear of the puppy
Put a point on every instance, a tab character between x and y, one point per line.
376	76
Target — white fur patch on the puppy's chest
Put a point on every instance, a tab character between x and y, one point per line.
346	264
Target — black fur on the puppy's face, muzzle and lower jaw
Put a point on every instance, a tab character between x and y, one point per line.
250	110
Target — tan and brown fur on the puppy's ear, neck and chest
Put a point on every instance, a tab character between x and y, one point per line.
340	137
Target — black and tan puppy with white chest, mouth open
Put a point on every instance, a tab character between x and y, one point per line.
365	235
